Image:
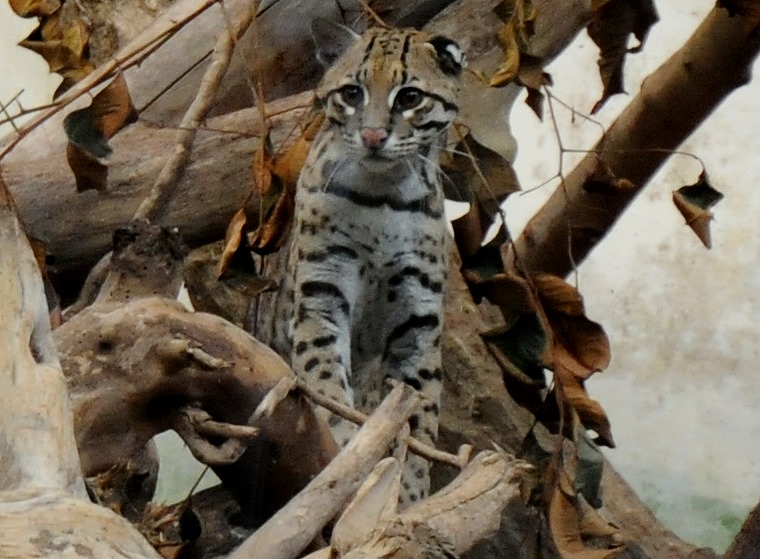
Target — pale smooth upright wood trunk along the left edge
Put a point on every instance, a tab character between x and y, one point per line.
44	511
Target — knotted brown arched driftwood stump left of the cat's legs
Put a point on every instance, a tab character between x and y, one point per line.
138	363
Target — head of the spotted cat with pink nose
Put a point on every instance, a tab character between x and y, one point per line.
391	93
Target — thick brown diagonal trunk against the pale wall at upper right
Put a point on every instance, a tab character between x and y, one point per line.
672	102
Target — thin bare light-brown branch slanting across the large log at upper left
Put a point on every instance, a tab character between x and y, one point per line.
163	187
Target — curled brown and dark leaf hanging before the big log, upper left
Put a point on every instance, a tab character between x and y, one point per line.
88	131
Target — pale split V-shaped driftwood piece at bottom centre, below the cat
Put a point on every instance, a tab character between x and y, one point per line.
447	524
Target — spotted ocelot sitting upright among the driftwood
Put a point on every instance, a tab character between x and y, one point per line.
368	256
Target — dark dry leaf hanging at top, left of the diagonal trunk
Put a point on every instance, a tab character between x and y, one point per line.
612	24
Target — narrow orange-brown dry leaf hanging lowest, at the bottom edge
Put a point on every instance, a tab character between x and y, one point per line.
564	519
